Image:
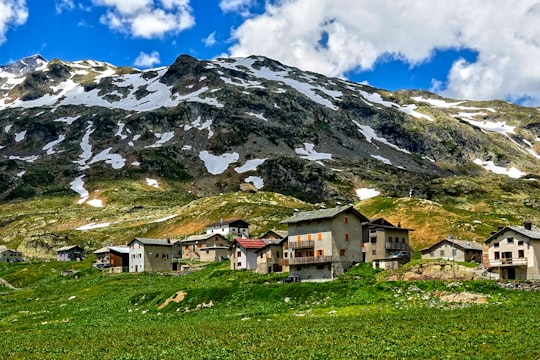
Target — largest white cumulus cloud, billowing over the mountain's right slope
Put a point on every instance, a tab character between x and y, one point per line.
338	36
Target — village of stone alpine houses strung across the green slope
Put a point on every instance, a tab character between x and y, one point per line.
319	245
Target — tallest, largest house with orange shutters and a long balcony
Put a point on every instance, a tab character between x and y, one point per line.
323	243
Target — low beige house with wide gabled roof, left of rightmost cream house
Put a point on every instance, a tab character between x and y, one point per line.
452	249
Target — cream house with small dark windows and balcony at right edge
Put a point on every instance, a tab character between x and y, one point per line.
514	252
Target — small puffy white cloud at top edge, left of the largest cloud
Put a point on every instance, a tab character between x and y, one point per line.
147	18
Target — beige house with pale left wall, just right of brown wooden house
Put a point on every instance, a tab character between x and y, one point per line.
150	255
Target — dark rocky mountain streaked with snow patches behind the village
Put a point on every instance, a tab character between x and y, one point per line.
253	124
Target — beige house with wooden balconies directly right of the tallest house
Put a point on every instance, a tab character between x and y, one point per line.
385	240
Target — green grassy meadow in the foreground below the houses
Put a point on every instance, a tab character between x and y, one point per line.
69	310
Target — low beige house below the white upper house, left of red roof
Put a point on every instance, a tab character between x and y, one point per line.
204	247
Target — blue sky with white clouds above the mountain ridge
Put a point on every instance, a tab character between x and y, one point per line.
464	49
